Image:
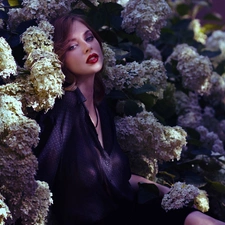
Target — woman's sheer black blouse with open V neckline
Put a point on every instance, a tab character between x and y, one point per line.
88	182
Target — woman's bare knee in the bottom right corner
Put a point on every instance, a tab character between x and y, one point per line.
198	218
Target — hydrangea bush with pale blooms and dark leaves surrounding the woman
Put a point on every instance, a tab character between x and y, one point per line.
164	77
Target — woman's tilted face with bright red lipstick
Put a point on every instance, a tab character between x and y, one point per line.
84	55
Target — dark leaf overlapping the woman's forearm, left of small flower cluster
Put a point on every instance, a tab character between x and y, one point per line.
147	192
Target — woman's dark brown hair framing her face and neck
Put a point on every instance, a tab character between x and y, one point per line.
62	27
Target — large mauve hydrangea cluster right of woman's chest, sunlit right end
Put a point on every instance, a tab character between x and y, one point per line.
144	135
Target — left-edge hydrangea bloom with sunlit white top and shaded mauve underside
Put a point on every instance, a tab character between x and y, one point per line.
17	131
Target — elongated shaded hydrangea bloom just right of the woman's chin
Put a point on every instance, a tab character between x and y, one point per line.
136	74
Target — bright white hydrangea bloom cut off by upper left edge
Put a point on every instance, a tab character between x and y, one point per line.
7	62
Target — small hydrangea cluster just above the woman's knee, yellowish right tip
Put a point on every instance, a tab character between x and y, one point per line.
185	195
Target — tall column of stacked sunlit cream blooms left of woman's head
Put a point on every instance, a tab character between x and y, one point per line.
45	81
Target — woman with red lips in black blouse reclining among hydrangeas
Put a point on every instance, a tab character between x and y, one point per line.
78	153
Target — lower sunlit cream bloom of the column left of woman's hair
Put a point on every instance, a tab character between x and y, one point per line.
44	84
